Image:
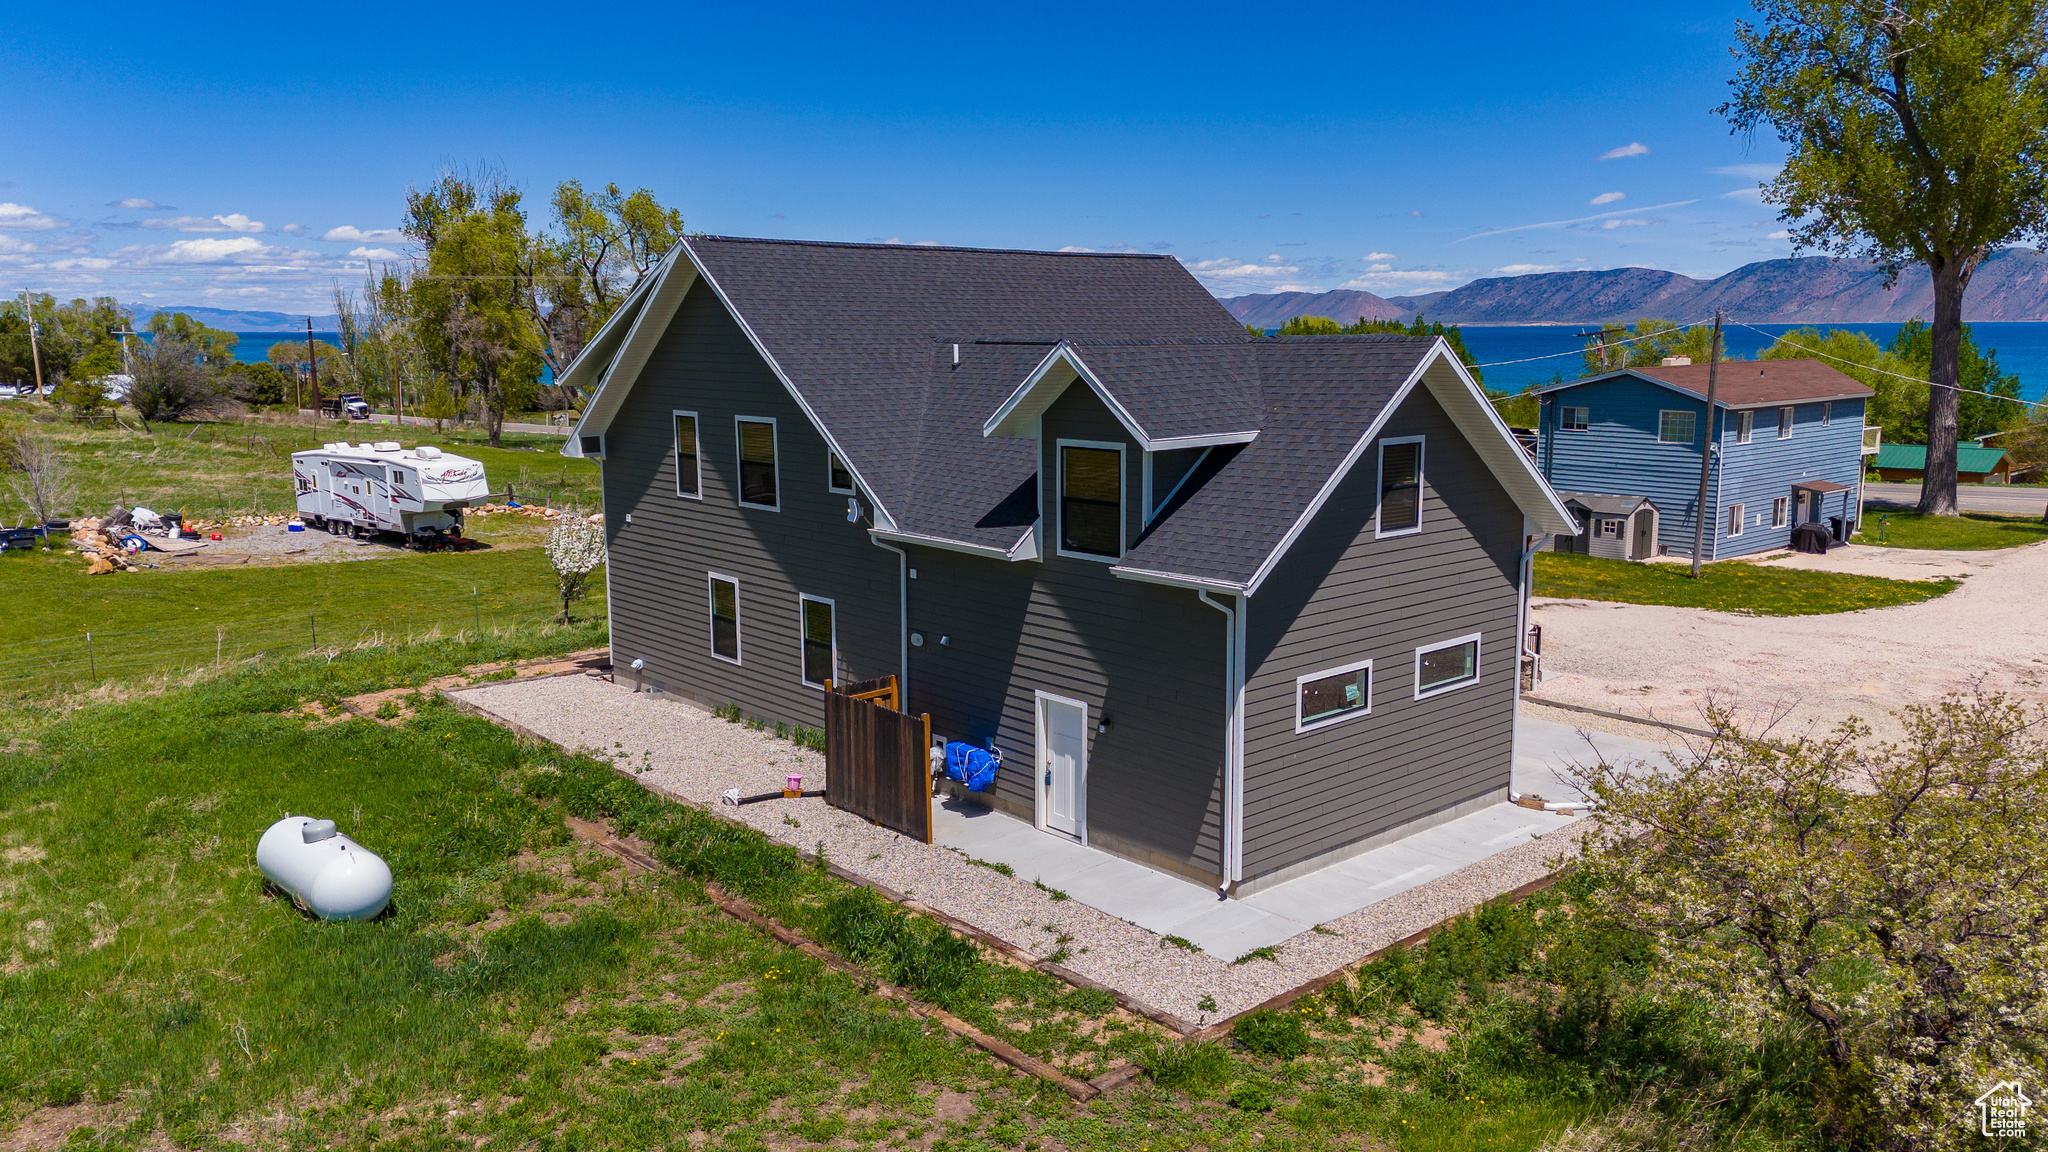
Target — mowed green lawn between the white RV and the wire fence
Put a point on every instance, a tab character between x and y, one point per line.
165	622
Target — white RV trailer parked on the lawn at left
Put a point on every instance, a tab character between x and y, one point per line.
384	489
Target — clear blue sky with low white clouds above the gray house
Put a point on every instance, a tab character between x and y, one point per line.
253	161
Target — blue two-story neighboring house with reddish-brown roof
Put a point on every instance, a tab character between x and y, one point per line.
1623	450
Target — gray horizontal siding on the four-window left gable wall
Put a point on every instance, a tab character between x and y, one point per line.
660	561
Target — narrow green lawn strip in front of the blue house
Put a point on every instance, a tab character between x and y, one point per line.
1730	587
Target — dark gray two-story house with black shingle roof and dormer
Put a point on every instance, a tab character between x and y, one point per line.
1234	608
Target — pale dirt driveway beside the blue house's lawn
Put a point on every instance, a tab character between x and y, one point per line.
1670	663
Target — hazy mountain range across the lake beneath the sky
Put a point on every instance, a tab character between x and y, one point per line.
1814	290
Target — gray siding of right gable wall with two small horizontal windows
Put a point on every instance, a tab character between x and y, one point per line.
1342	598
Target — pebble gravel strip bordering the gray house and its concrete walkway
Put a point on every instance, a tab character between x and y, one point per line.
683	751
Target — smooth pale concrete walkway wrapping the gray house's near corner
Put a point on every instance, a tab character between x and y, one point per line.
1175	907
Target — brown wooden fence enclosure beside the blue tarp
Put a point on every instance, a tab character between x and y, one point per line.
878	759
